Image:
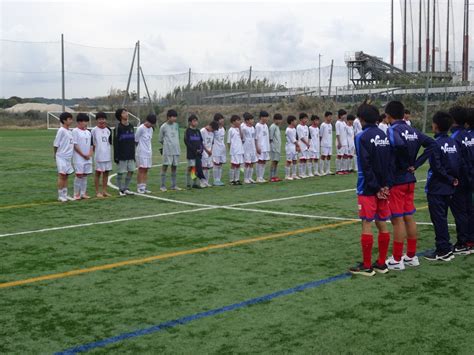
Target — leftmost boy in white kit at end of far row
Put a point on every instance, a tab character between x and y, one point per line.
63	147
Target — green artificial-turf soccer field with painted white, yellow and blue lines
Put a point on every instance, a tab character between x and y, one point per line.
236	269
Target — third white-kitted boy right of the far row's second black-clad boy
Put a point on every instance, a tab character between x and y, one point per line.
236	149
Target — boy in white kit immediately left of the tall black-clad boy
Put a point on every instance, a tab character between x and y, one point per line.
102	143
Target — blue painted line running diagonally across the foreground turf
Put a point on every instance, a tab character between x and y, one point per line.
210	313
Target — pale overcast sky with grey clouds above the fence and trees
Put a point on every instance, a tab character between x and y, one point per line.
205	36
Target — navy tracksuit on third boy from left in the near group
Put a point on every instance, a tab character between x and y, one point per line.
445	164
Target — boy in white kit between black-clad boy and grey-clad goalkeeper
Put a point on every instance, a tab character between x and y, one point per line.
143	137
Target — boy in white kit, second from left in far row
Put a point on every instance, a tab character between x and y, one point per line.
82	157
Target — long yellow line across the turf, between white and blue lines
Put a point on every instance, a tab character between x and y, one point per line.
171	255
